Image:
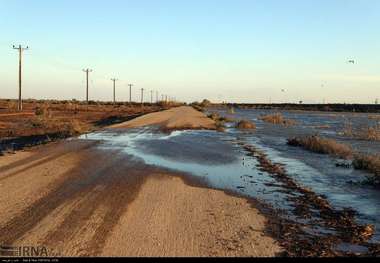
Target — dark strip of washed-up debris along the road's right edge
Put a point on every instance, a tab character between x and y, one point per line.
298	238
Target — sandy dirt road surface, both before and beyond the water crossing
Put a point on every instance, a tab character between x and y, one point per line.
79	200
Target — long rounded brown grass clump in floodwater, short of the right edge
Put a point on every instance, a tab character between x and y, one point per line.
323	146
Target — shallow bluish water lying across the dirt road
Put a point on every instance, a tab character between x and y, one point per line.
206	154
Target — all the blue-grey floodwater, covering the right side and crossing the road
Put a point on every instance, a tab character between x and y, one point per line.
218	159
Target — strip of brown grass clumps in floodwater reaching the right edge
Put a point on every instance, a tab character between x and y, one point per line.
366	162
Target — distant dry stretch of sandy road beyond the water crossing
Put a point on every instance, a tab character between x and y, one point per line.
176	118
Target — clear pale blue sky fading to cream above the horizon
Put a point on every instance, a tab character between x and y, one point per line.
239	50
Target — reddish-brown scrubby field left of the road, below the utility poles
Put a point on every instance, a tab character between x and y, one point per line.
45	121
